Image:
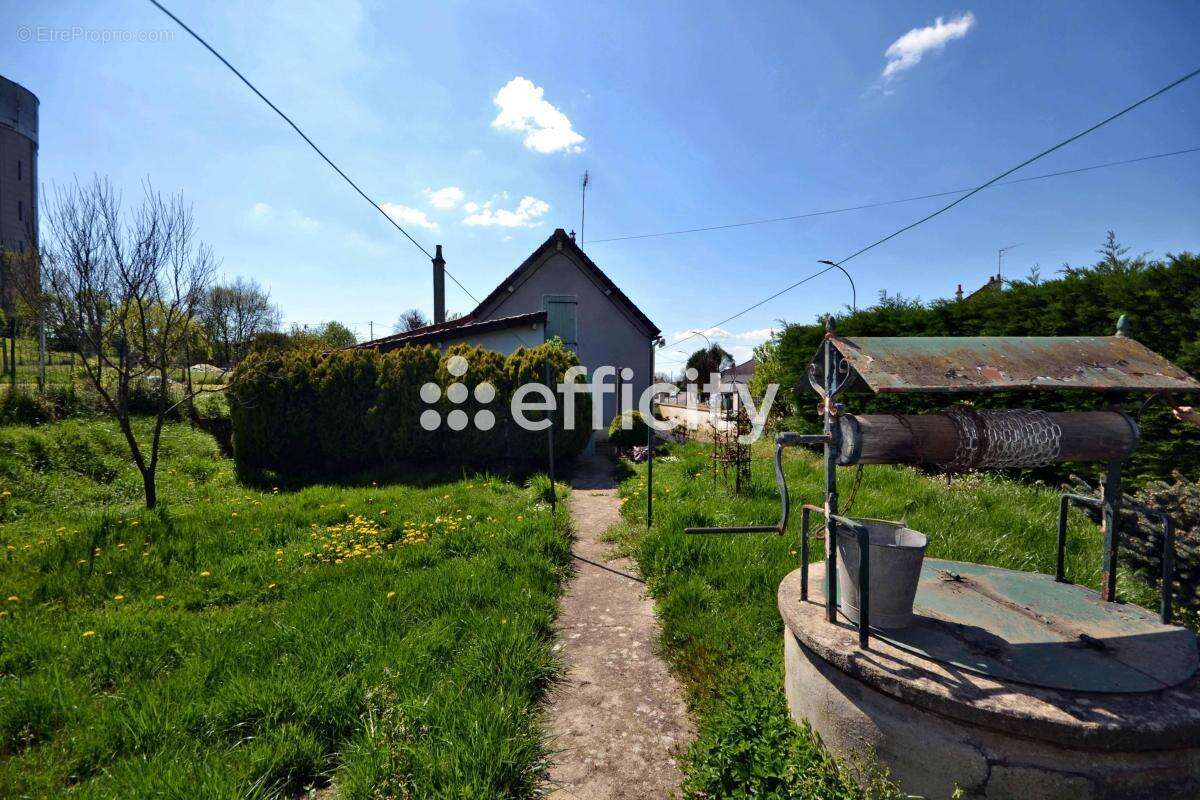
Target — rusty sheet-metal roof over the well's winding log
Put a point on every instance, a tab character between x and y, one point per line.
932	364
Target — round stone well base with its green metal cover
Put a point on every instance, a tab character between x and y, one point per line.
1010	685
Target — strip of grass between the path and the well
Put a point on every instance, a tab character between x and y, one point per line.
717	594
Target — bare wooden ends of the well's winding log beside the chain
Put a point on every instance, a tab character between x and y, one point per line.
934	438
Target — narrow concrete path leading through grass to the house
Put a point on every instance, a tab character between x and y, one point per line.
619	721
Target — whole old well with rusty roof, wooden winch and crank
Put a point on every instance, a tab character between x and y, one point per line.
1004	684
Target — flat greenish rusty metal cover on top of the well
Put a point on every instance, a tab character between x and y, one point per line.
1027	628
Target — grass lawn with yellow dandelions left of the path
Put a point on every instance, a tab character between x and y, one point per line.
247	642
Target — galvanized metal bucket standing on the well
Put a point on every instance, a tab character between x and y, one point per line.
897	556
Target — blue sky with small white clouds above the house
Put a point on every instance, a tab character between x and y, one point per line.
687	115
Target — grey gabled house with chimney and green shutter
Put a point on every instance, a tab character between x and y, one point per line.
559	292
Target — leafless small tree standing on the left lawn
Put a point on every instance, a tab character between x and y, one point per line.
125	287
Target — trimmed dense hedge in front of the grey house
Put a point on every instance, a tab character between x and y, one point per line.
319	413
